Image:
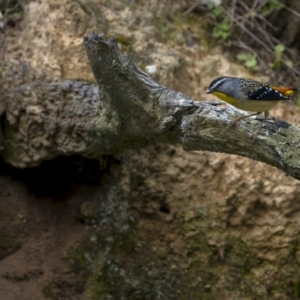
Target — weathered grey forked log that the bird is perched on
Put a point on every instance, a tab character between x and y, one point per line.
127	110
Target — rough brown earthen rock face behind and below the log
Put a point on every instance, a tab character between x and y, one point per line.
154	223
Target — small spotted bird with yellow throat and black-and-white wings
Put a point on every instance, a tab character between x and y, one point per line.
249	95
